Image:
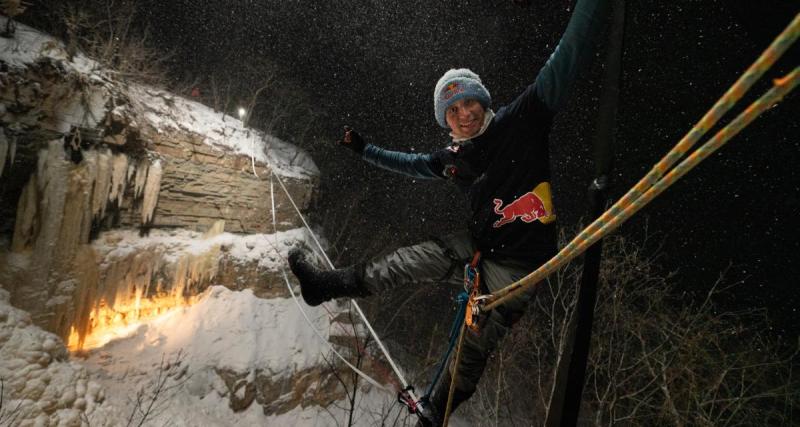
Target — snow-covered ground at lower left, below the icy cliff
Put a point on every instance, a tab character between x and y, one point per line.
180	351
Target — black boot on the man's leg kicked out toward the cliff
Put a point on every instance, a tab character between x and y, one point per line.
318	286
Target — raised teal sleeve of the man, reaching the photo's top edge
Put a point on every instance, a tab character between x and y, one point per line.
573	51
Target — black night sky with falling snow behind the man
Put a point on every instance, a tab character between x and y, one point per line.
373	65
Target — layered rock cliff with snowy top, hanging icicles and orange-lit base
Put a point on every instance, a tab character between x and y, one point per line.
121	201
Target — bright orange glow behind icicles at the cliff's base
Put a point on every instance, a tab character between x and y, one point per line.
109	323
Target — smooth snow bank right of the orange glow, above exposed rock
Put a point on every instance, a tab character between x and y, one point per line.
225	329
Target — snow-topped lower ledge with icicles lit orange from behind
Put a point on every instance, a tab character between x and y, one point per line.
143	277
